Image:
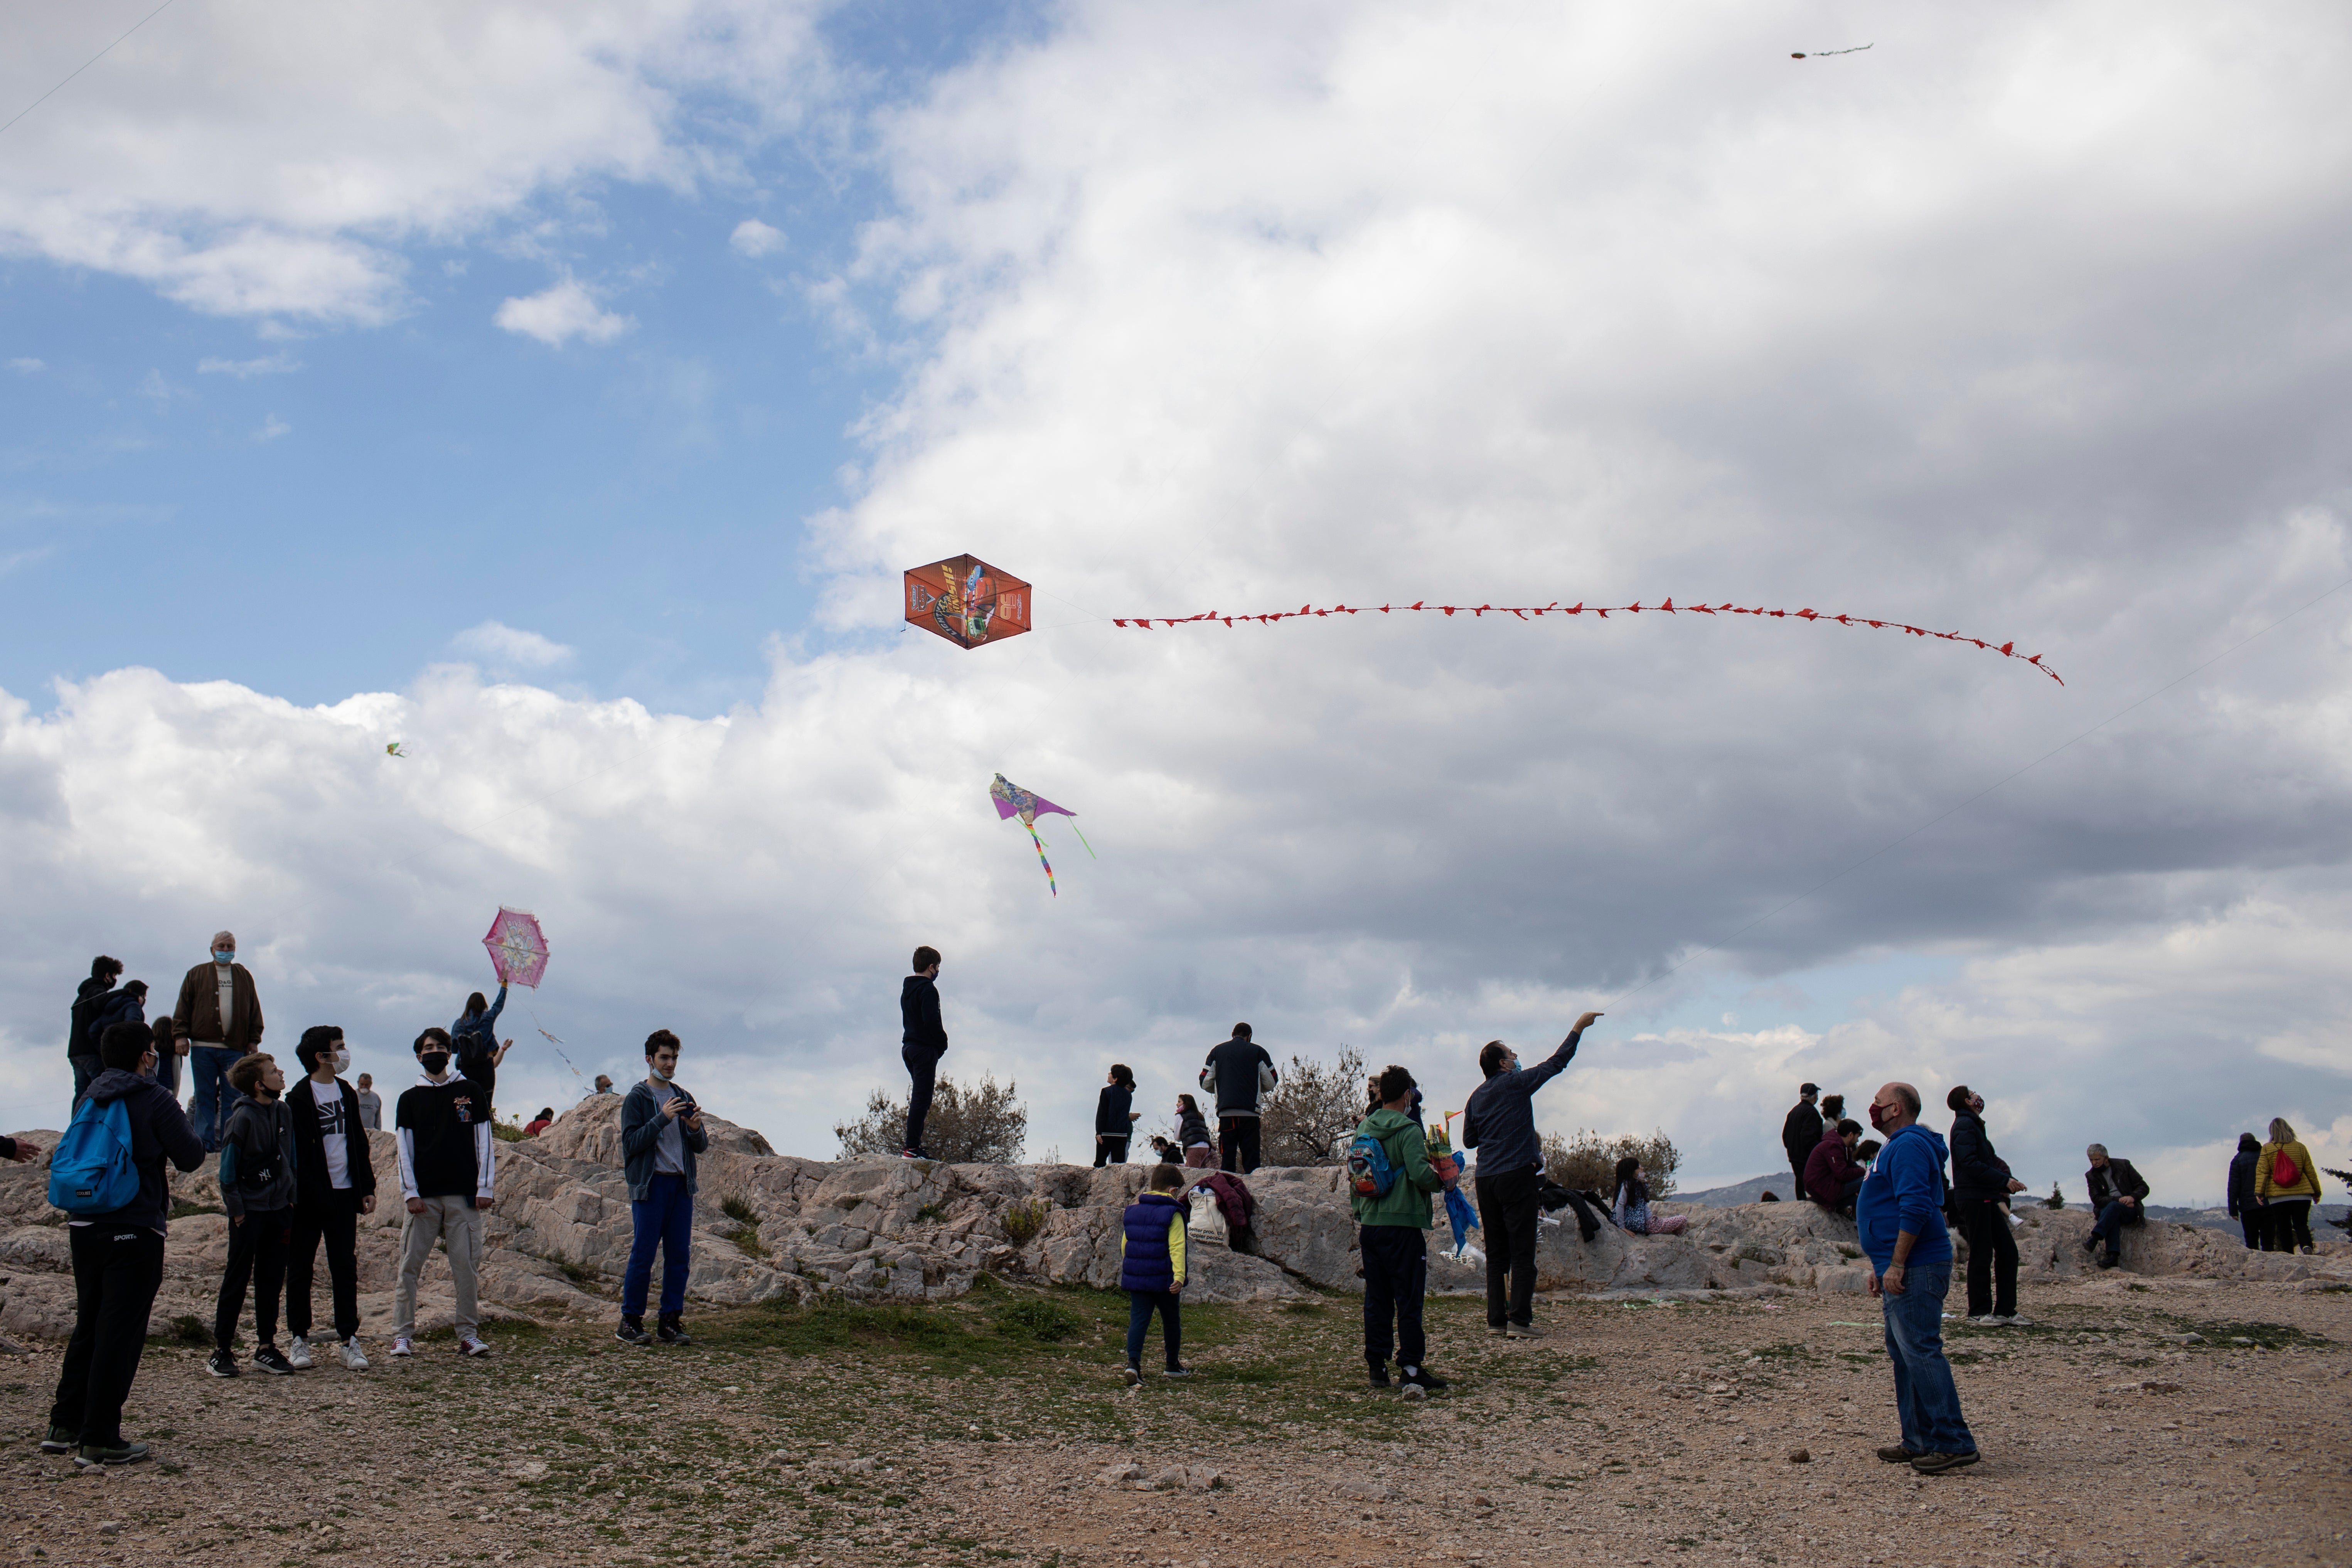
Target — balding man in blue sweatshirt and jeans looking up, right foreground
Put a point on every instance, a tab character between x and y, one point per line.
1911	1271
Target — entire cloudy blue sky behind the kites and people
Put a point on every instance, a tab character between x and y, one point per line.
559	391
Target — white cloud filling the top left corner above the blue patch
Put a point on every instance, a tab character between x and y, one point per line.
272	161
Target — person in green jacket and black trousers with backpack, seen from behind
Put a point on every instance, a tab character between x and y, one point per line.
1389	1188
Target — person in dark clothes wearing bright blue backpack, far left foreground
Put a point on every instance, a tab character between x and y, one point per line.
107	1174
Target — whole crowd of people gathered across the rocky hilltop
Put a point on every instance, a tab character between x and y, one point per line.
298	1174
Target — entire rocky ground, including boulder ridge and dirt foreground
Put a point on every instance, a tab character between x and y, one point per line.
909	1362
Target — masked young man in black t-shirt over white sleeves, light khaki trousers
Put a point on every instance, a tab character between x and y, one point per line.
448	1162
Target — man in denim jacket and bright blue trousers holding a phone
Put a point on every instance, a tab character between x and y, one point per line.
662	1132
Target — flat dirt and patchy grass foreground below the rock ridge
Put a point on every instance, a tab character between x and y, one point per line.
977	1433
